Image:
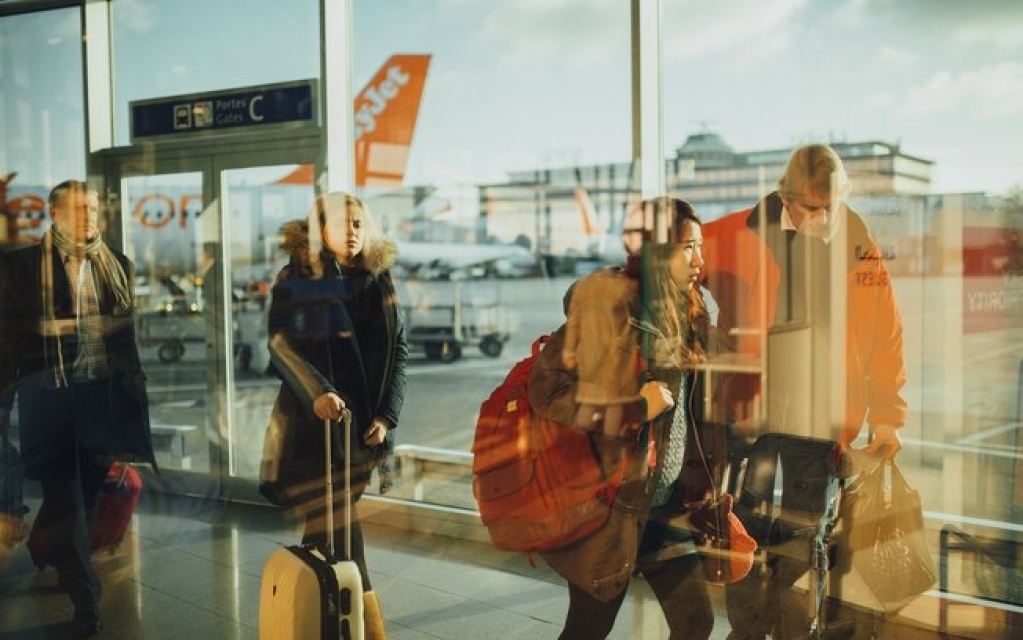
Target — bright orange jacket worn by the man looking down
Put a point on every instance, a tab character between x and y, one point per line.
747	297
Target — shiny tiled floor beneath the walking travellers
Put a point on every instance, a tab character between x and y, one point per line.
191	569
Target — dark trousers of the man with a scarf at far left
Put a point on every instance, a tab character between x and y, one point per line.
71	479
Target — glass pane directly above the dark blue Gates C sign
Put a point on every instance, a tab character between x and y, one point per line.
203	59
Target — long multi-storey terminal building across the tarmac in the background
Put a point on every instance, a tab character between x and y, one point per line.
705	171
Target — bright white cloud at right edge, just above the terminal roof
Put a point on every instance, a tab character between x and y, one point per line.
990	92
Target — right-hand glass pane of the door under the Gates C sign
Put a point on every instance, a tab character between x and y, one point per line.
257	202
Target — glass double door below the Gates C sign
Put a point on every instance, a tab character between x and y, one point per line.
202	226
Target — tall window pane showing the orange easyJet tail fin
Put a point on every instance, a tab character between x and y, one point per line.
515	118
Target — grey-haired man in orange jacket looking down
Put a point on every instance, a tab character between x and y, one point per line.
802	258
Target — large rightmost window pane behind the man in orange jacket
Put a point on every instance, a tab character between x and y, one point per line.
937	196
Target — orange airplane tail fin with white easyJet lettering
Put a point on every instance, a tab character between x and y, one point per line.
385	120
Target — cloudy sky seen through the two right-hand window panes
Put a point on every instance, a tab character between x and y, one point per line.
541	82
